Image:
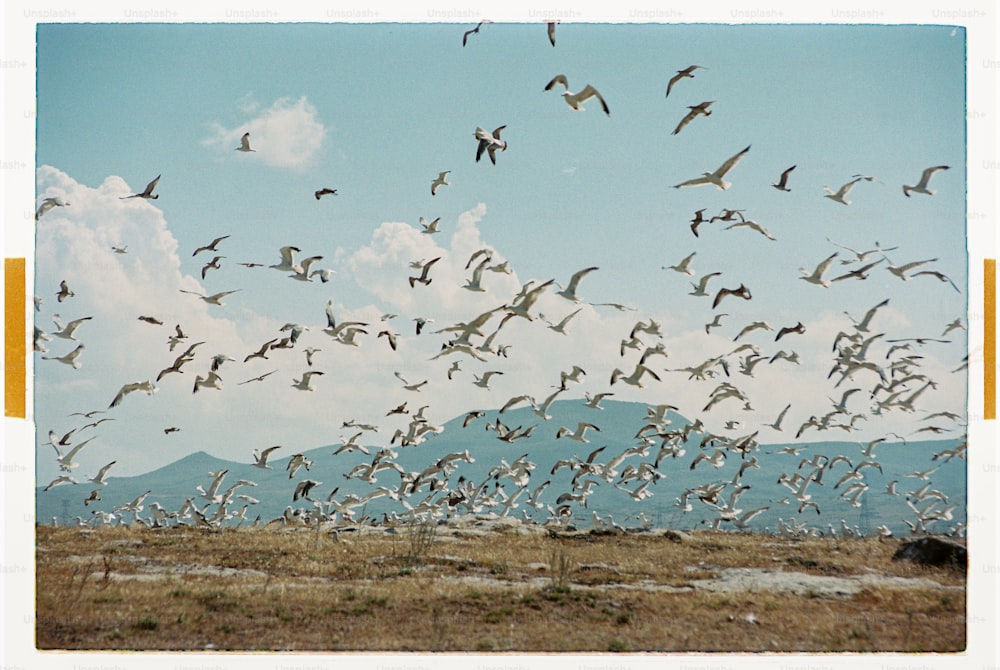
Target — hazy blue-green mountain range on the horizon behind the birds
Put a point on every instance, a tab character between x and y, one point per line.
618	424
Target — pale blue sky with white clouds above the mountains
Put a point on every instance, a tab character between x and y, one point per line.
376	111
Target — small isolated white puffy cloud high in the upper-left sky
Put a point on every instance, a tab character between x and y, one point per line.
285	135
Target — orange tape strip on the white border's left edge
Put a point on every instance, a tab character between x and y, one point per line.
15	350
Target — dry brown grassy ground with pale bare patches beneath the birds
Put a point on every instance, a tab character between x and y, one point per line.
107	589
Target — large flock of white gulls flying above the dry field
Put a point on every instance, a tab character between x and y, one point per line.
874	372
